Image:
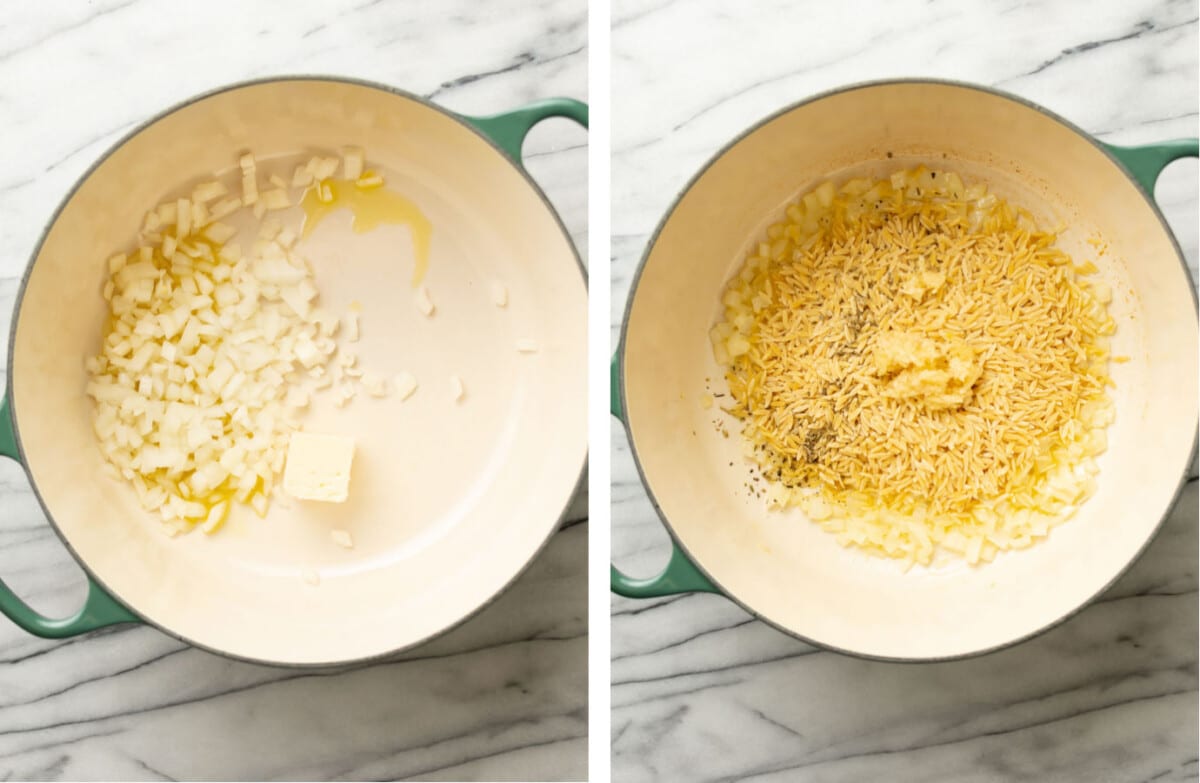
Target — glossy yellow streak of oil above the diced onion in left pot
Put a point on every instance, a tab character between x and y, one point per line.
371	208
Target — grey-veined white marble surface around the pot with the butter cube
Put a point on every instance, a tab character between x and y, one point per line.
501	698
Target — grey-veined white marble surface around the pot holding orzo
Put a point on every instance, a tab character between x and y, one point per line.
703	692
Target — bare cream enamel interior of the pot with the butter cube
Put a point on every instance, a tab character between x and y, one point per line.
448	501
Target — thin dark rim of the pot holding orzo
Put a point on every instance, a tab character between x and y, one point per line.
650	249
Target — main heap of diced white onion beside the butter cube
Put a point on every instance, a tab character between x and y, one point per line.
191	404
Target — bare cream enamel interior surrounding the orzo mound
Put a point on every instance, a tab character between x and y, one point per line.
782	566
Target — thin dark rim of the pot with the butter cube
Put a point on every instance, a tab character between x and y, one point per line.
38	249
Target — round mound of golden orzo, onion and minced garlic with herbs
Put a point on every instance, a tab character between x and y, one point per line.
920	368
